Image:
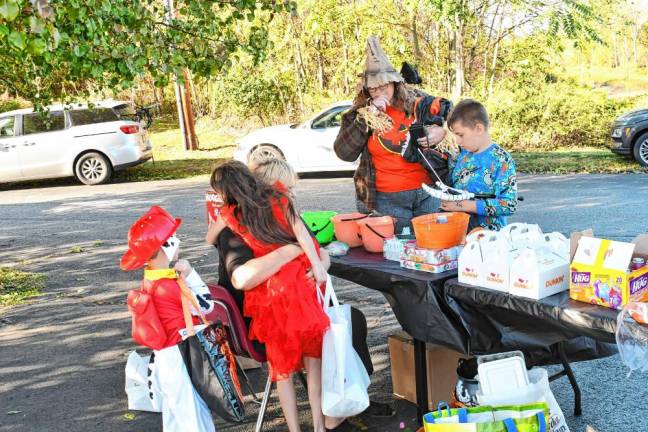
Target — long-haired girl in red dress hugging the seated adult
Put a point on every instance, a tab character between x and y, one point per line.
286	313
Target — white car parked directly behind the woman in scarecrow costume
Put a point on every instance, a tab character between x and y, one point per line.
307	146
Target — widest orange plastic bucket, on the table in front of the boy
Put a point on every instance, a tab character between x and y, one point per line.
440	230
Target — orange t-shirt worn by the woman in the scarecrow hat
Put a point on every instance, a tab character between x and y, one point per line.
393	173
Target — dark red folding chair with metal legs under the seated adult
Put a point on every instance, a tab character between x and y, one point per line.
226	310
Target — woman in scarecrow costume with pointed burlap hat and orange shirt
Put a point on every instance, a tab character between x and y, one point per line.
377	129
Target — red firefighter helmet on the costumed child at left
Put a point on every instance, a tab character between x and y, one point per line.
146	237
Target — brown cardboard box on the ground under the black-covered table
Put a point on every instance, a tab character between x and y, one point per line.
441	370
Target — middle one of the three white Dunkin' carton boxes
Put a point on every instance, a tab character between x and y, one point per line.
497	256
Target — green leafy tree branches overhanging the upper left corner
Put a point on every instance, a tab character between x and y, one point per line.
58	49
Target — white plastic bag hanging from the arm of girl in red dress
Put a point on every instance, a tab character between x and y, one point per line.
344	377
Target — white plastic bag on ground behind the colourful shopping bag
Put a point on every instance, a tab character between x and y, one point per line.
538	390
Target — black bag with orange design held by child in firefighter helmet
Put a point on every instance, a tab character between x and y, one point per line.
212	368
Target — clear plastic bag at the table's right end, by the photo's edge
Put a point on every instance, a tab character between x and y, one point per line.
632	337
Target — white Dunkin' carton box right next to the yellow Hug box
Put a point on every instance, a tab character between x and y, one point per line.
539	272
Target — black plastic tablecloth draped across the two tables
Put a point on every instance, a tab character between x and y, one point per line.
435	308
